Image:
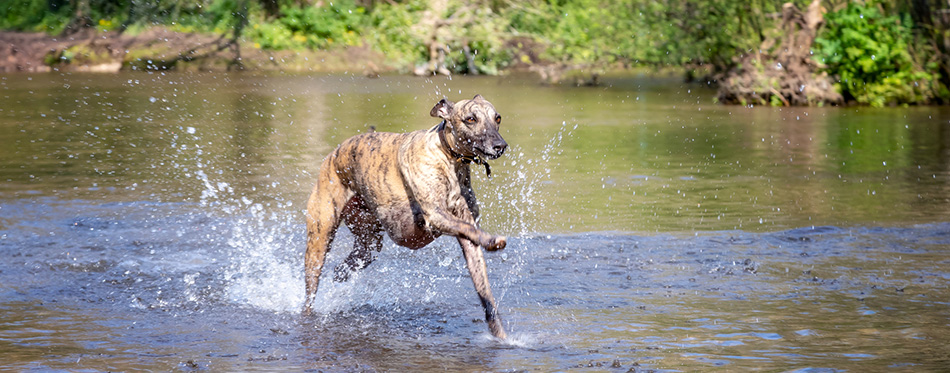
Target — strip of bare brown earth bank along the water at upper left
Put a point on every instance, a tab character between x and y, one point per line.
162	49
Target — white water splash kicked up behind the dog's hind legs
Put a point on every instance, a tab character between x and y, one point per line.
262	240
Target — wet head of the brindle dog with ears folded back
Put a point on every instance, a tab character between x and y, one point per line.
474	124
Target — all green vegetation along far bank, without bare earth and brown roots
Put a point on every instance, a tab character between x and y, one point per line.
877	52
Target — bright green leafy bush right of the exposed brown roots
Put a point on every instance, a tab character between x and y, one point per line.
869	53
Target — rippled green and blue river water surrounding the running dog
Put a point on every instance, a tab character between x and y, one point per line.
154	221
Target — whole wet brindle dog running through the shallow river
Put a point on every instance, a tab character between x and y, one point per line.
416	186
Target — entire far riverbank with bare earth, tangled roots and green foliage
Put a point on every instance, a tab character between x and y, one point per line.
881	54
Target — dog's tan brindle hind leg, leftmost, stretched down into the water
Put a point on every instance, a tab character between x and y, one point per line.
324	209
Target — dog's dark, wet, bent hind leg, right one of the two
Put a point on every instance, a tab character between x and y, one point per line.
368	239
